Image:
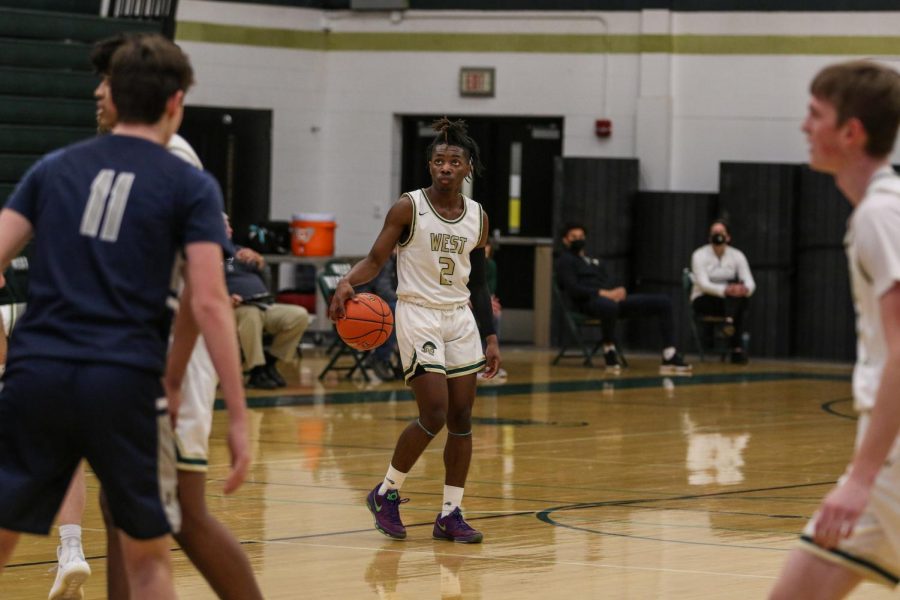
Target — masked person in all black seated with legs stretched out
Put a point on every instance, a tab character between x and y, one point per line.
588	287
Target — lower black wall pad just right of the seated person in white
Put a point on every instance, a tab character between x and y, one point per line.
770	317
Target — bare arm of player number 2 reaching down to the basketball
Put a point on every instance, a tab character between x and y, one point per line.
398	219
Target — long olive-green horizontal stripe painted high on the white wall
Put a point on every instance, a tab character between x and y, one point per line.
190	31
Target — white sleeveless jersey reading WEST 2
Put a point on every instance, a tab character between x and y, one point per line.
433	261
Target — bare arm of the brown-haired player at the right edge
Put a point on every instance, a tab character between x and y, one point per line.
842	507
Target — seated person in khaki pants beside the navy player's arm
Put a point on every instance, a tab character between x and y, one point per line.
256	313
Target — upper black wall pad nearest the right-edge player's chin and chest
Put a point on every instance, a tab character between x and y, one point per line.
821	212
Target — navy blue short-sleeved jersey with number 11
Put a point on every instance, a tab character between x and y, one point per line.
110	216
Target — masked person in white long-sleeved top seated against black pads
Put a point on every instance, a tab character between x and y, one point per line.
723	285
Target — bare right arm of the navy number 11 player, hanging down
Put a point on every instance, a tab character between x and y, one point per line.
212	311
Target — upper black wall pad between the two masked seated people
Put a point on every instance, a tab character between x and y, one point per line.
668	227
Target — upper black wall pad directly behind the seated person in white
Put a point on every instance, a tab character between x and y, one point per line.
758	201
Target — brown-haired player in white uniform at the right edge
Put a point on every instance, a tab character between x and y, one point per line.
851	126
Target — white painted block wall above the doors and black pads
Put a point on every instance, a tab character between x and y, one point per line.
335	133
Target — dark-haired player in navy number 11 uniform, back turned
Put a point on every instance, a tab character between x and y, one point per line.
108	217
